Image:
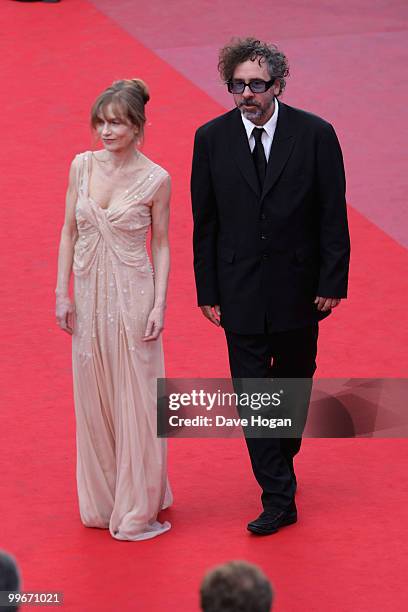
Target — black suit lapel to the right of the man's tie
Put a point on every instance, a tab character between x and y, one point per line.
282	145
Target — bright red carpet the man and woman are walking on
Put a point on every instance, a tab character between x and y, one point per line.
349	548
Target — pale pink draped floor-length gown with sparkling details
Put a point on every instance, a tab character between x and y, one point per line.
121	464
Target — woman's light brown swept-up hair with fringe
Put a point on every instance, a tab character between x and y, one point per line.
128	98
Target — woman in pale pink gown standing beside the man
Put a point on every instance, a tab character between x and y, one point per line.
115	196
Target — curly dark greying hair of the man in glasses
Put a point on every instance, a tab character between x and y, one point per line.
242	49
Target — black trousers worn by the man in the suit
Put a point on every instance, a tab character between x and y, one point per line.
287	354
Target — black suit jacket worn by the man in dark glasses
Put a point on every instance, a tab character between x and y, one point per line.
264	257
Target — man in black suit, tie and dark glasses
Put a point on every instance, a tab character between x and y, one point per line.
271	242
